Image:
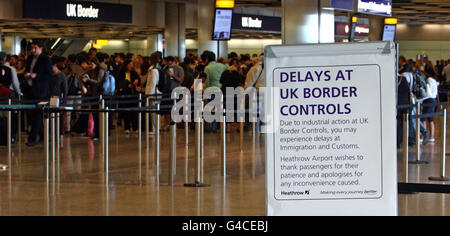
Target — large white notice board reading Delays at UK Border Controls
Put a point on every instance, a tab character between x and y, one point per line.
331	142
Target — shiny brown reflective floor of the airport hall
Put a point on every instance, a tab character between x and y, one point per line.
78	187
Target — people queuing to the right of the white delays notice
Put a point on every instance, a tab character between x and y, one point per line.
421	82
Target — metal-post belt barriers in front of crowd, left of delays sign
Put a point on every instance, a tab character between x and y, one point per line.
52	116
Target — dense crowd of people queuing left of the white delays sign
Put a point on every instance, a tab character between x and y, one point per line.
38	76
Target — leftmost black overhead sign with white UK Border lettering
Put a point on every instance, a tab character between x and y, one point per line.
56	10
